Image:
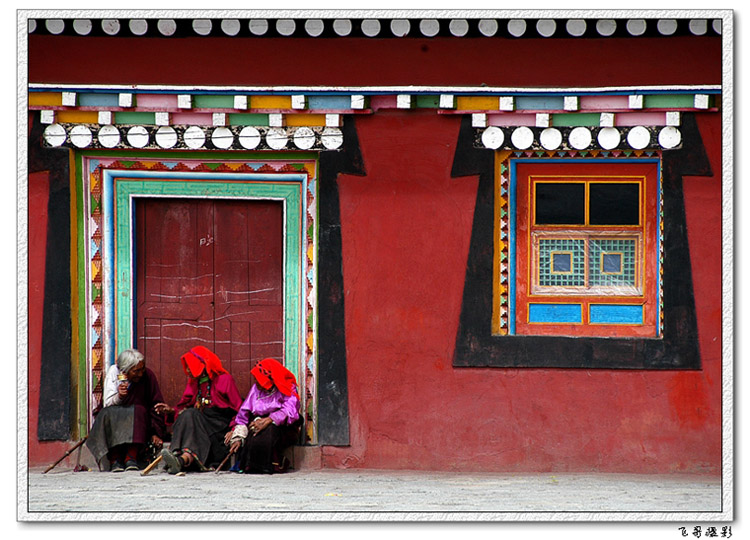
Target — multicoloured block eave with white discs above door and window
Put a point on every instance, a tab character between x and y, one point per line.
309	118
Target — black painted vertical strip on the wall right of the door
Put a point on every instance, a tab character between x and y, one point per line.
333	393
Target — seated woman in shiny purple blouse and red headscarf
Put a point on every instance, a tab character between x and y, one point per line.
271	414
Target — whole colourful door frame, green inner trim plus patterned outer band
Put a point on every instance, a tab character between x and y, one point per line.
106	189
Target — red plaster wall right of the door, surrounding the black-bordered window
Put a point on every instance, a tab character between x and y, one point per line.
405	231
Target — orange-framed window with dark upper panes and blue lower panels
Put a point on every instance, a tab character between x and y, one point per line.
585	249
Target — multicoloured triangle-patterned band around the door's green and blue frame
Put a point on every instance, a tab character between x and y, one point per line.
97	361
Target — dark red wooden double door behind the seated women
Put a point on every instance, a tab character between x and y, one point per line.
209	272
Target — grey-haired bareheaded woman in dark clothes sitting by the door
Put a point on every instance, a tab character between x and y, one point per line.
128	421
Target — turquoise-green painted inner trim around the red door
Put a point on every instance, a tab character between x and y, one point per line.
126	188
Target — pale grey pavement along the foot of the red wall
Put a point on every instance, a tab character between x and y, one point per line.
62	494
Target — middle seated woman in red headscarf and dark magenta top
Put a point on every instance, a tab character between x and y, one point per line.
204	413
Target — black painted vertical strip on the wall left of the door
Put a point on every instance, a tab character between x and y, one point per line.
55	384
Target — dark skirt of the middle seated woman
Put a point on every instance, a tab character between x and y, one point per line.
201	432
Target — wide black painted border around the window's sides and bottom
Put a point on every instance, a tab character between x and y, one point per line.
476	346
